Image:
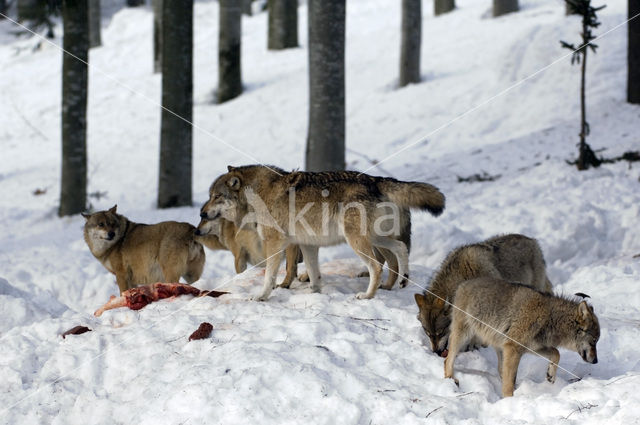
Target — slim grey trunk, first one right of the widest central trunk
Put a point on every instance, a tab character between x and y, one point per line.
411	38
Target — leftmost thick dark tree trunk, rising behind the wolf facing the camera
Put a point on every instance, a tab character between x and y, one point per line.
73	185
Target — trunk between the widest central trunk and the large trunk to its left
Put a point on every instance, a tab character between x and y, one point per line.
229	70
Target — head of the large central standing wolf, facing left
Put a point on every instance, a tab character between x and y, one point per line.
224	196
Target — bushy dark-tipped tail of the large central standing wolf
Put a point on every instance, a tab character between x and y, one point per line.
414	195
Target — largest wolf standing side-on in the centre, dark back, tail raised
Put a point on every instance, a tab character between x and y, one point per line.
336	206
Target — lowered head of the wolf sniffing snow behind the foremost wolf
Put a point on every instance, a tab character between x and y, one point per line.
435	316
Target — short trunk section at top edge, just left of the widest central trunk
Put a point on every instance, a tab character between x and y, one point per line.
283	24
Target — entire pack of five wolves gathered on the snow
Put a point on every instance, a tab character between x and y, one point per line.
493	293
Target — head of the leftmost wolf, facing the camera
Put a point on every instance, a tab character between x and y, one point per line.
103	229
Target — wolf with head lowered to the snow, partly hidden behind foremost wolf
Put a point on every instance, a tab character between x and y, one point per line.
512	257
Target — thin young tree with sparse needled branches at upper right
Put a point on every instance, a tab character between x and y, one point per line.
586	157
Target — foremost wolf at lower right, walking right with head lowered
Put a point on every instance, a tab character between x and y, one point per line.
515	319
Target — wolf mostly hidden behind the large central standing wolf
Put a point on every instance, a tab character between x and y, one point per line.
245	245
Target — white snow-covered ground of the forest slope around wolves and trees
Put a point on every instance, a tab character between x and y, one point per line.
323	358
